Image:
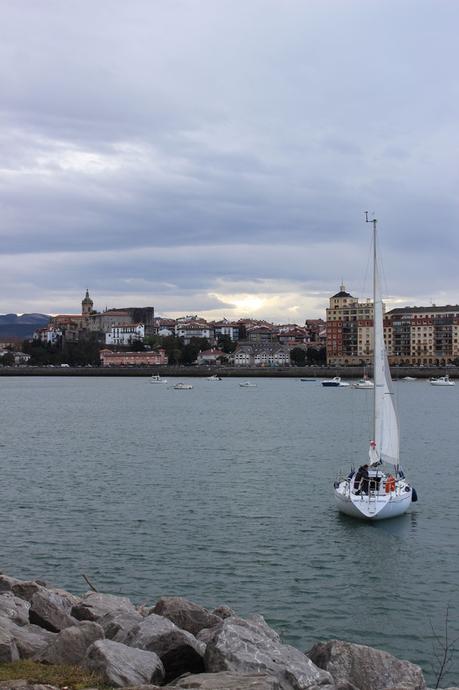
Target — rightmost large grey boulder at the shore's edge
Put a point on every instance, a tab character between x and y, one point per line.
365	667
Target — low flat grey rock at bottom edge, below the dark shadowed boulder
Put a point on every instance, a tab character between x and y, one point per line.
227	680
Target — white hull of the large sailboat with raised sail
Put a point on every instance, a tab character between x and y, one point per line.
374	507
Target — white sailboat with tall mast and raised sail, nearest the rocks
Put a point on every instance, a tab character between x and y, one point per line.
378	489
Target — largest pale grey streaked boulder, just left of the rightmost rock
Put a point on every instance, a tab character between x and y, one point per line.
246	647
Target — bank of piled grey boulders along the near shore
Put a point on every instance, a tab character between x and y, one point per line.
178	644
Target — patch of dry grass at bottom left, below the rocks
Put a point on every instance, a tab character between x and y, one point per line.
60	675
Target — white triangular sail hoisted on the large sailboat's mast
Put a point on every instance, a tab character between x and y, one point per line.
386	431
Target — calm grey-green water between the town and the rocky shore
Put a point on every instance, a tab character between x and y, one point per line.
224	495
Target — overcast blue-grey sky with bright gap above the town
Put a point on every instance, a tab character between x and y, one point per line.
216	156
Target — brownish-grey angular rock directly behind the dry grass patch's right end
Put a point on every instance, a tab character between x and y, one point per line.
70	645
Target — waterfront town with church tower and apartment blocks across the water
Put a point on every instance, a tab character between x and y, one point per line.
134	336
